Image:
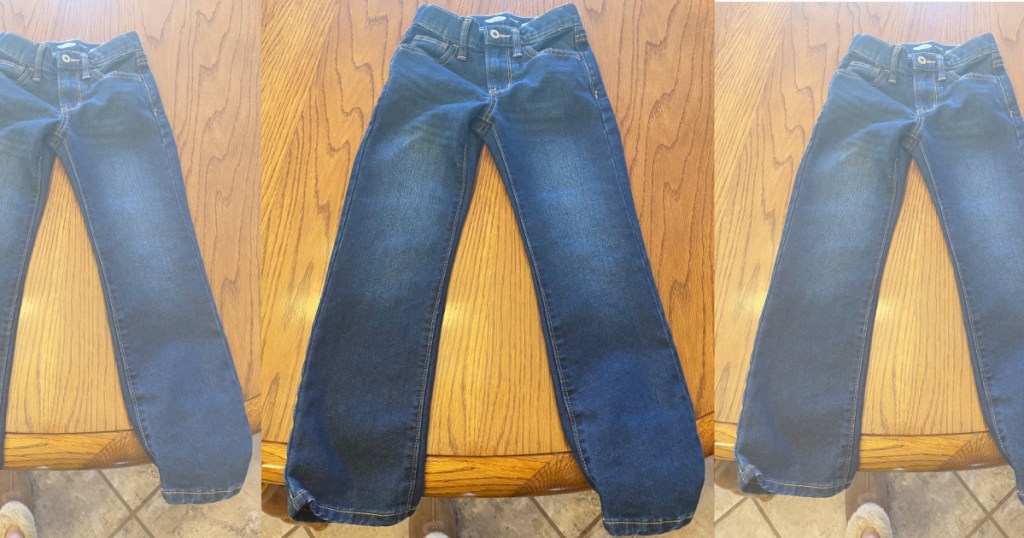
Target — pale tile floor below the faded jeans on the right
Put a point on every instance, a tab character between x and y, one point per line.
974	504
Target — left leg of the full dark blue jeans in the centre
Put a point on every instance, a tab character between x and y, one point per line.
359	440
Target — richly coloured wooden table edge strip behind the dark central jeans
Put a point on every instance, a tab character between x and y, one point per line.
509	476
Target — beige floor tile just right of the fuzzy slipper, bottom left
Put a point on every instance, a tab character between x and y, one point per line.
75	504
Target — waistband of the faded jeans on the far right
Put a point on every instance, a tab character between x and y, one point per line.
927	56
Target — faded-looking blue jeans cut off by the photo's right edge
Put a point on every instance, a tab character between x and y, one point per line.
953	111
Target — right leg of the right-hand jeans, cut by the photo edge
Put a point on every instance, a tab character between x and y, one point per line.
973	161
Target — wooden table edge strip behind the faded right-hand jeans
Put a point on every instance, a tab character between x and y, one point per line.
918	453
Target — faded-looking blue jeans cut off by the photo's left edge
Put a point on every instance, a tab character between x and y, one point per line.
97	109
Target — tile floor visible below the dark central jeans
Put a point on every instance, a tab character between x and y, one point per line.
571	516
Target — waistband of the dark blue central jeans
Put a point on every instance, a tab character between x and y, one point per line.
496	30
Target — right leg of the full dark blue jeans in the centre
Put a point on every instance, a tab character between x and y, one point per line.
619	385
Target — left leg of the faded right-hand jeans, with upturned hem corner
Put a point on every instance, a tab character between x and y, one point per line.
800	428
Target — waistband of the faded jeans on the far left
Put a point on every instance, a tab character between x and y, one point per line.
73	54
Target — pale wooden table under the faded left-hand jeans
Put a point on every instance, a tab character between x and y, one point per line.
66	410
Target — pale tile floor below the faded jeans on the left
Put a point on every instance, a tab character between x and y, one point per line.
126	504
